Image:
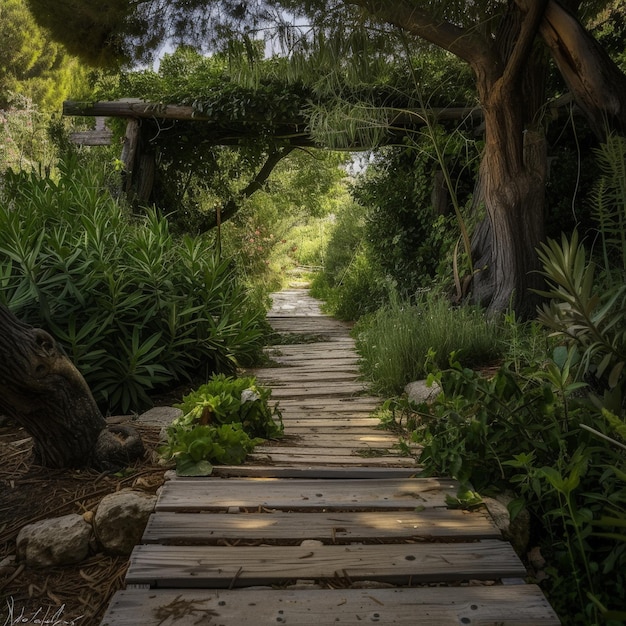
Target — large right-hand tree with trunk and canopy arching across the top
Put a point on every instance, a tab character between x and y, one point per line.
510	48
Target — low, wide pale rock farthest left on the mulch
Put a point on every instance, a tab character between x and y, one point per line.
58	541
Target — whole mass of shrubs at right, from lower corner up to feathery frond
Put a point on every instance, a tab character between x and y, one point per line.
542	430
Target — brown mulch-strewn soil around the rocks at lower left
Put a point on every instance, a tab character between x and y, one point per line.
76	594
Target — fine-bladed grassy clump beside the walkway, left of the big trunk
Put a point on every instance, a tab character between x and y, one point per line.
395	342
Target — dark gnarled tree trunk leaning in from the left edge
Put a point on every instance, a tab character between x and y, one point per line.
43	392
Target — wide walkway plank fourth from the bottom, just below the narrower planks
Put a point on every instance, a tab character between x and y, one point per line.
217	494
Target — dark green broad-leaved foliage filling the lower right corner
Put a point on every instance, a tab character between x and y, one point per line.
530	434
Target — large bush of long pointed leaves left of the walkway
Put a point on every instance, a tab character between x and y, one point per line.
134	307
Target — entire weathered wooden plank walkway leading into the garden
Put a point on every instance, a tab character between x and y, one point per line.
329	526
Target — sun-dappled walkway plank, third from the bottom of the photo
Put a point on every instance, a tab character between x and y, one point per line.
211	528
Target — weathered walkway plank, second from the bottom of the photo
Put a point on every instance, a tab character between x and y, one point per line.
401	564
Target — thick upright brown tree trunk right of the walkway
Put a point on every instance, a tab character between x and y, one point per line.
513	171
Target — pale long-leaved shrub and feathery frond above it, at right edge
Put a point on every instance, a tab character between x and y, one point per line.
588	311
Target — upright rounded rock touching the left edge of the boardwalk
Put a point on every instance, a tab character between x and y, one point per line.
120	520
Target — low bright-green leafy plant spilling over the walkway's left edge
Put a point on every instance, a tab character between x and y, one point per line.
222	421
